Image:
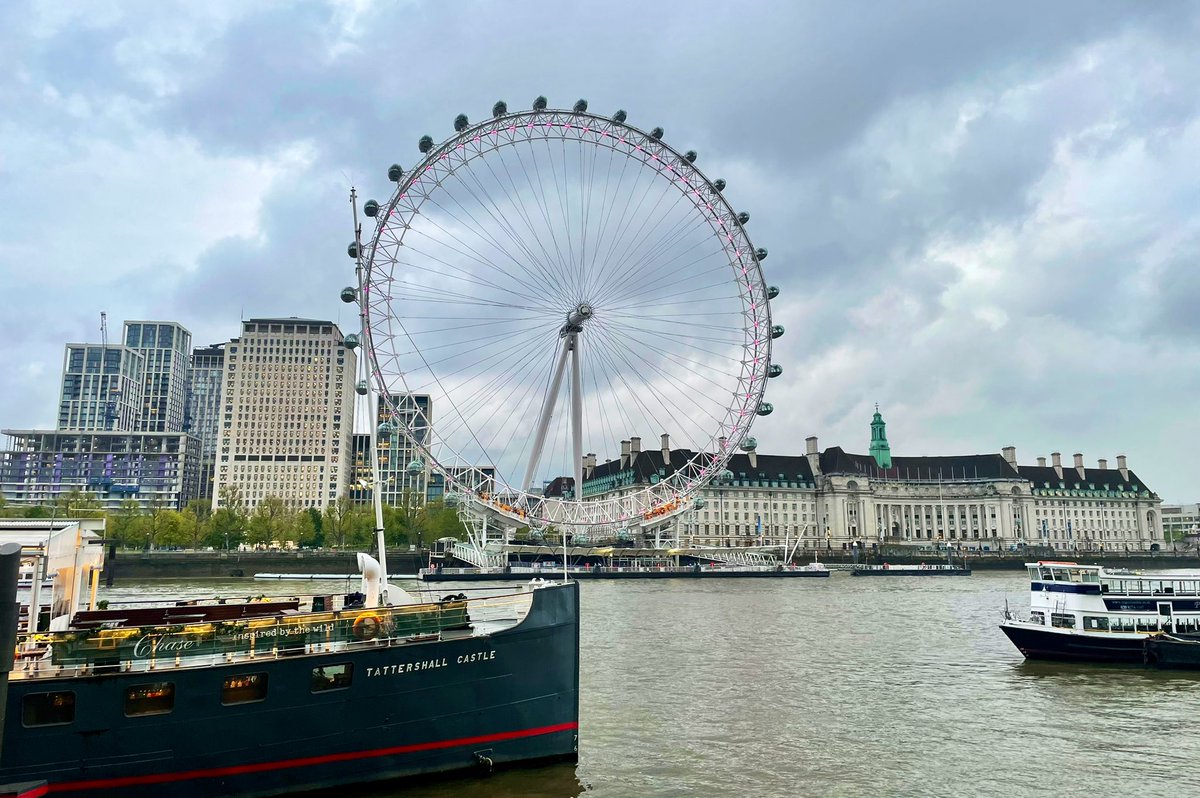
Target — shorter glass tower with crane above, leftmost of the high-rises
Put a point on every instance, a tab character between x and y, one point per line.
101	388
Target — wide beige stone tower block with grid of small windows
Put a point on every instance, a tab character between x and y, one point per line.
287	413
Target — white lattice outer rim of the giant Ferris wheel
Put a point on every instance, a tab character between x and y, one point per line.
478	141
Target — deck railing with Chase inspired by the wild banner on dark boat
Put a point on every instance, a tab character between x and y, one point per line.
116	650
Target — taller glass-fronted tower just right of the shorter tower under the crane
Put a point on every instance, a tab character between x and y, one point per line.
166	349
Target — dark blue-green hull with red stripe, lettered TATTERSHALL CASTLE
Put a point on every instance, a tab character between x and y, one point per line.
479	701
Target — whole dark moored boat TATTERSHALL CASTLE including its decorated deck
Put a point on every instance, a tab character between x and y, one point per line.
373	687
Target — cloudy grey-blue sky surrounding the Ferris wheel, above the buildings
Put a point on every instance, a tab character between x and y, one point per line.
983	217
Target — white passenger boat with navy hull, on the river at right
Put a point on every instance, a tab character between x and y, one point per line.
1100	615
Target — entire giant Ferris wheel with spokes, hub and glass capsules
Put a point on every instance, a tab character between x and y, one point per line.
559	283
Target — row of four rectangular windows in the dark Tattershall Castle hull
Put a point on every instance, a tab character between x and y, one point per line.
159	698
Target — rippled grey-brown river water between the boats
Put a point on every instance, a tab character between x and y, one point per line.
839	687
